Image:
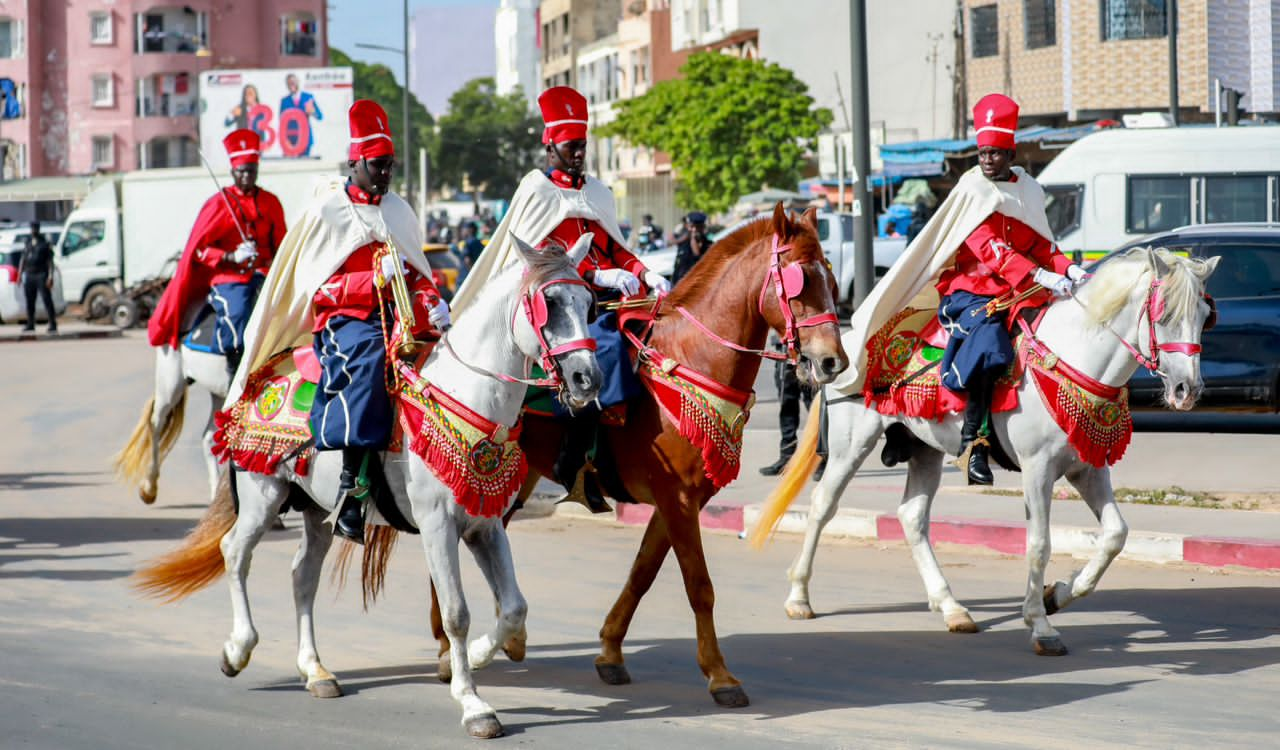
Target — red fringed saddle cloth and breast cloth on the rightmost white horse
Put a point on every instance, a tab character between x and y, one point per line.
903	381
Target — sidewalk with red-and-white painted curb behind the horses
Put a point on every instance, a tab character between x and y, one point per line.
1200	463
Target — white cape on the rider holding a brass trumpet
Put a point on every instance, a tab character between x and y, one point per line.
314	249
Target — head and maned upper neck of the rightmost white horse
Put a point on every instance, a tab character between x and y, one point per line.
1173	312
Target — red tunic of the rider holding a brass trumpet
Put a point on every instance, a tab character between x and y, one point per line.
351	290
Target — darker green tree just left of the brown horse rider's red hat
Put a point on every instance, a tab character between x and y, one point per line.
490	140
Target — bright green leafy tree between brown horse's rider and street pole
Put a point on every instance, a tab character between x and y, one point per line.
730	126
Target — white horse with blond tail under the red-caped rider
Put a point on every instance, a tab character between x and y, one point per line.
161	424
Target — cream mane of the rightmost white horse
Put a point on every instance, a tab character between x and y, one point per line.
1112	289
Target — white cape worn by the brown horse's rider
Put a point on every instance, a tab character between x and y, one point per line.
537	209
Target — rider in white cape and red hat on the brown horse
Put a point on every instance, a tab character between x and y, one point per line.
563	204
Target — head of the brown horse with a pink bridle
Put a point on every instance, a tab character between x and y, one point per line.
799	296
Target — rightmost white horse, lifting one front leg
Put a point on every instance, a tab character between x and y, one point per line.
1145	301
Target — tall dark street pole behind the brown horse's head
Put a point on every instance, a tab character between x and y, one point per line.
865	267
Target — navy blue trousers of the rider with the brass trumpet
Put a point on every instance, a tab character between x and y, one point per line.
353	408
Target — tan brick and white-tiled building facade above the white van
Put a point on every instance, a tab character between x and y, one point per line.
1075	61
